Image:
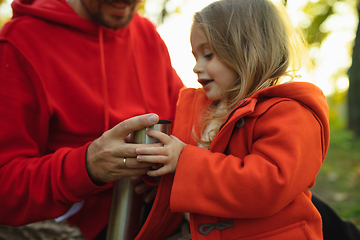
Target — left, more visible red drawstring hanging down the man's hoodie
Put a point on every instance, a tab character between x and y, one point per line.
104	81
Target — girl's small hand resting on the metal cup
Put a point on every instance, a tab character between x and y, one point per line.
168	155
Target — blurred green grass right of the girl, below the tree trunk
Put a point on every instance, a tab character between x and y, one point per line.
338	181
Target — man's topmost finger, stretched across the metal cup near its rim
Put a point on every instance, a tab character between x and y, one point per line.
127	126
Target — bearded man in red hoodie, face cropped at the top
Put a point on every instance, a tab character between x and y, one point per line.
70	72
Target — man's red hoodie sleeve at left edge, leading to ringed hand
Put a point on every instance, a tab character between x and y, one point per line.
34	185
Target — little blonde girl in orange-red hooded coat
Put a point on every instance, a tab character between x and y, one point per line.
247	148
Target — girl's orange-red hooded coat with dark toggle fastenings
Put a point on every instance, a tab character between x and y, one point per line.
256	175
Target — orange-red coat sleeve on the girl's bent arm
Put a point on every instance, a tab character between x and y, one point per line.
283	160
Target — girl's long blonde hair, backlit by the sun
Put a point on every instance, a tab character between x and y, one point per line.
256	39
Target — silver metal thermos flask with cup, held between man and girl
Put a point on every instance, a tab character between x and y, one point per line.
127	212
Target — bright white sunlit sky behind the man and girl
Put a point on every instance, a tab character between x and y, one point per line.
332	58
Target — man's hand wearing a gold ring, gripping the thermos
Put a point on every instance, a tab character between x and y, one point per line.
105	155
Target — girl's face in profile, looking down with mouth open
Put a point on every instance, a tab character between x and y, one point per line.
213	74
